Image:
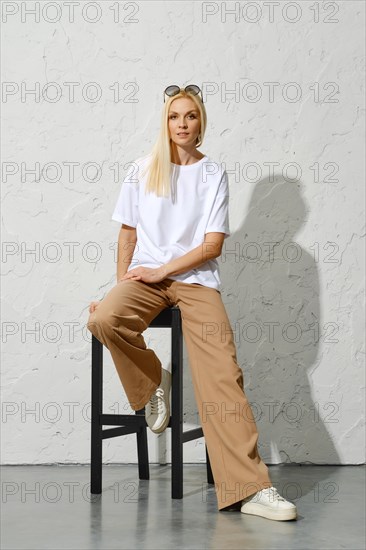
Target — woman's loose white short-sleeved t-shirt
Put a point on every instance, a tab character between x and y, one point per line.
169	227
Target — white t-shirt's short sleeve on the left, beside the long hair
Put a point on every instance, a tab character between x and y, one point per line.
126	209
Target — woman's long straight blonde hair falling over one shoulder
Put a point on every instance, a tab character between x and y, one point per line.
159	167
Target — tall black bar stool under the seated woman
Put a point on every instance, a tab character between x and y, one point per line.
136	423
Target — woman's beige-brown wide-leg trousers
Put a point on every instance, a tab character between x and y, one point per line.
226	418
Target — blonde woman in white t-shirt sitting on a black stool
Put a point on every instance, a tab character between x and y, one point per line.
173	206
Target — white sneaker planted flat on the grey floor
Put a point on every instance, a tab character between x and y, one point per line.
269	504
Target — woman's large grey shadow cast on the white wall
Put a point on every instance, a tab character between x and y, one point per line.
270	287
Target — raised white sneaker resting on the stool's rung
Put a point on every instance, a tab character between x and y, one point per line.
157	410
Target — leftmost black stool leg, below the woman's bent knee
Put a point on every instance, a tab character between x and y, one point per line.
97	407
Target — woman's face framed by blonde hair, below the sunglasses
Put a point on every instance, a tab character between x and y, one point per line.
184	122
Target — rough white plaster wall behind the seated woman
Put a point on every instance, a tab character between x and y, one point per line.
299	324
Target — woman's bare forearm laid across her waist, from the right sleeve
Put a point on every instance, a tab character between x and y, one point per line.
209	249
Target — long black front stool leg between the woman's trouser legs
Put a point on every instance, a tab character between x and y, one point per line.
177	406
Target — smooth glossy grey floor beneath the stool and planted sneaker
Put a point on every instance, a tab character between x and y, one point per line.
49	507
